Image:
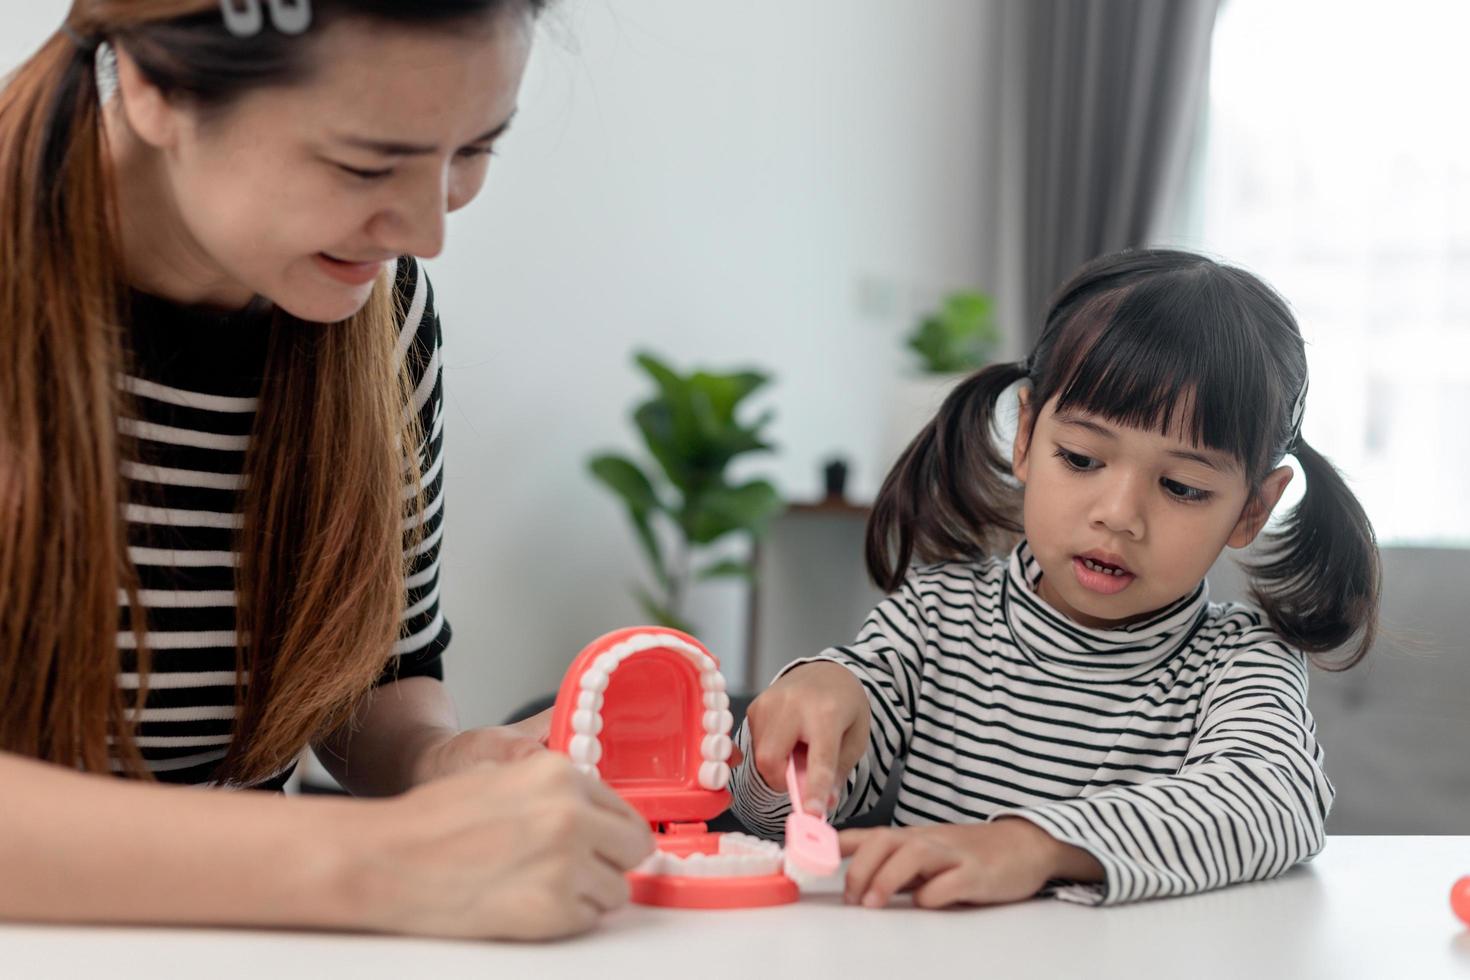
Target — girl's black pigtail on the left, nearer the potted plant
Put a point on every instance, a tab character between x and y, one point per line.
947	497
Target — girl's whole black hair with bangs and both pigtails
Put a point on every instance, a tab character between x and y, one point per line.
1158	340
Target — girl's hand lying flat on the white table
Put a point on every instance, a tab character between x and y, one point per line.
969	865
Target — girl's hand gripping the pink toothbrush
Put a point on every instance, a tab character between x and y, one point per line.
824	706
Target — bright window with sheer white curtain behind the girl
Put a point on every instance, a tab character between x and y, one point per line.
1335	164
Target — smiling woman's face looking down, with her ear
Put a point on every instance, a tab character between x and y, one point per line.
302	193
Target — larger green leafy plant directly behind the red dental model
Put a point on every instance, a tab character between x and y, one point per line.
684	503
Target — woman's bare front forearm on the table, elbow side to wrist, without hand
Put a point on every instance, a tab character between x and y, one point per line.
96	849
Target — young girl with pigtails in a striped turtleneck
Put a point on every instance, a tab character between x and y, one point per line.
1080	713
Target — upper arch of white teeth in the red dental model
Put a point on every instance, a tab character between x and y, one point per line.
587	722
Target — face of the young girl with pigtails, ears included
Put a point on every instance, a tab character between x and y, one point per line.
1127	521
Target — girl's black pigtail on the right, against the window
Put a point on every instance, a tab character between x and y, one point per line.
1319	578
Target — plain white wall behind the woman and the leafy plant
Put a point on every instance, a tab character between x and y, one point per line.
765	183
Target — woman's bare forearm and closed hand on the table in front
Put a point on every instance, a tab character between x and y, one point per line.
527	851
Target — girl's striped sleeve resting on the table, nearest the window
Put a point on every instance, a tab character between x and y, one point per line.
1250	801
